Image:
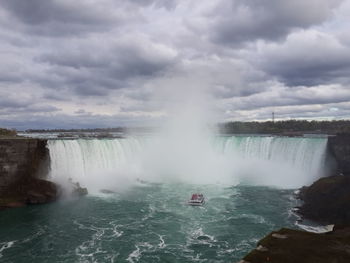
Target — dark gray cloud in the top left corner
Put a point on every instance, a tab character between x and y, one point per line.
62	18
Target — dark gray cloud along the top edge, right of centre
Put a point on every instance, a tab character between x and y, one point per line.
239	21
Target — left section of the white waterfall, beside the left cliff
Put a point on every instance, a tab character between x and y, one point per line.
91	161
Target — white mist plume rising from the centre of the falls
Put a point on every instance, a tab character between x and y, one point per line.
183	147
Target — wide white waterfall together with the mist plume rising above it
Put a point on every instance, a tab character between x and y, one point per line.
187	149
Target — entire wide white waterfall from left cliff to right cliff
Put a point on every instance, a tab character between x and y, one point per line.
280	161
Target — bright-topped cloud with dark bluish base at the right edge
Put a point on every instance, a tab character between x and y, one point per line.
307	58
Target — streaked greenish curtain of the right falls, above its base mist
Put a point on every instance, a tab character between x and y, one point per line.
306	155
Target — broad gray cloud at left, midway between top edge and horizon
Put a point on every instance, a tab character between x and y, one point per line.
112	67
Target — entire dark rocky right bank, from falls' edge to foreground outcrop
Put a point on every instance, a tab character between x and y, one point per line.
326	201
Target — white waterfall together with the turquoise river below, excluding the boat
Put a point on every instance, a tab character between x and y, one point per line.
143	217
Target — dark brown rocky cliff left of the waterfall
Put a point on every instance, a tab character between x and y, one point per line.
22	164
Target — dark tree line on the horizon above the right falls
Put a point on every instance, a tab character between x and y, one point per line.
290	127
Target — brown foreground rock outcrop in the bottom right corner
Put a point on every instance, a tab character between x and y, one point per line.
295	246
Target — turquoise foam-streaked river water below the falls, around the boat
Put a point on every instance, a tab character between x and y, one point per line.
146	223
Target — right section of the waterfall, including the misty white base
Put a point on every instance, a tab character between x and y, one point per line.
288	162
